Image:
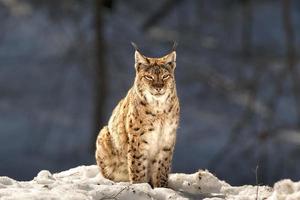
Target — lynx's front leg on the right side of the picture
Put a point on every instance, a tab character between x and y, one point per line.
161	168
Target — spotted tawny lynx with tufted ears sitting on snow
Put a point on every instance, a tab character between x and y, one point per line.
138	143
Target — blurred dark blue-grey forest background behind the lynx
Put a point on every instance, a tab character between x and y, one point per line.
64	65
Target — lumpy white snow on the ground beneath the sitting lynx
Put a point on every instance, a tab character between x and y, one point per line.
85	182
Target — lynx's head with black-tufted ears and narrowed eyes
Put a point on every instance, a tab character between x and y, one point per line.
155	76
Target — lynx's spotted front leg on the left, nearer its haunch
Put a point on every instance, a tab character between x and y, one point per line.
137	161
